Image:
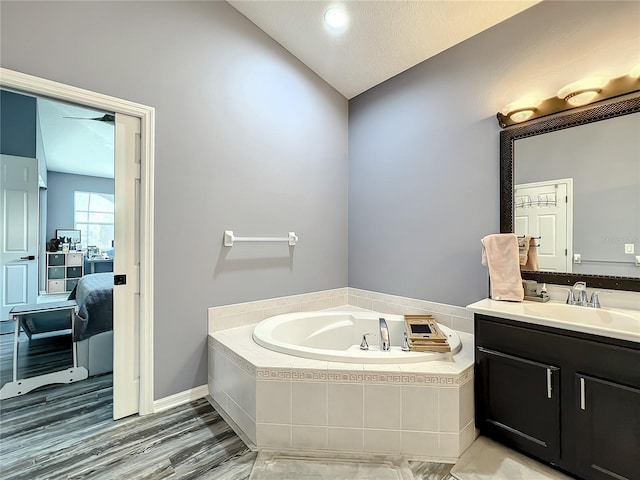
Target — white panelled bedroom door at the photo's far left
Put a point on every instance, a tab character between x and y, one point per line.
19	242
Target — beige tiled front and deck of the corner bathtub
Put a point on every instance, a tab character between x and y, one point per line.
421	410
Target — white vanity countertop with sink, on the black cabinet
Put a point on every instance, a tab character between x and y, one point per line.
618	323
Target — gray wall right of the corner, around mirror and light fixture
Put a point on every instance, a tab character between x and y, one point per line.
424	151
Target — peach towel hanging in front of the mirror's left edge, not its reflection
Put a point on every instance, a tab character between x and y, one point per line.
501	254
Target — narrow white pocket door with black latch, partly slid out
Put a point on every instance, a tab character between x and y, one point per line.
126	297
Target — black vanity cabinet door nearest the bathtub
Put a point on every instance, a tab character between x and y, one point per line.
518	402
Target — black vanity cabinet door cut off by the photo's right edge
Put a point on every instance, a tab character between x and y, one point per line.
608	429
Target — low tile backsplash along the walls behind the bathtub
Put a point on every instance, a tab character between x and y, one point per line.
249	313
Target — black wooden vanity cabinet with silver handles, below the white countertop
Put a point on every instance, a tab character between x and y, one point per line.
568	399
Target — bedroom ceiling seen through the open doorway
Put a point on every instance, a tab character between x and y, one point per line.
83	147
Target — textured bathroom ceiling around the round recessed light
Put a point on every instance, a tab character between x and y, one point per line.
384	38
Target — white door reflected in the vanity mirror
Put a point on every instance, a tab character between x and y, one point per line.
544	210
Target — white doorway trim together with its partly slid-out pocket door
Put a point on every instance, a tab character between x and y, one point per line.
133	370
